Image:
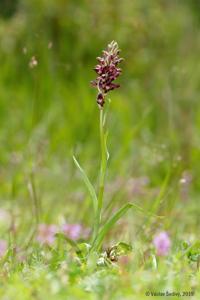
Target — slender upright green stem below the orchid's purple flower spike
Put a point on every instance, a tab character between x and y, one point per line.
102	175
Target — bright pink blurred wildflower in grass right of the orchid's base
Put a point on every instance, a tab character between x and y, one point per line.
162	243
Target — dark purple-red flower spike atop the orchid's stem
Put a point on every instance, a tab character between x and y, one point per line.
107	70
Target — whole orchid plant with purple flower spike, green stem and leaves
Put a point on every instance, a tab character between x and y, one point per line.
107	71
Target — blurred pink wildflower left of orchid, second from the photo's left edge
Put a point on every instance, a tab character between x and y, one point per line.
46	234
